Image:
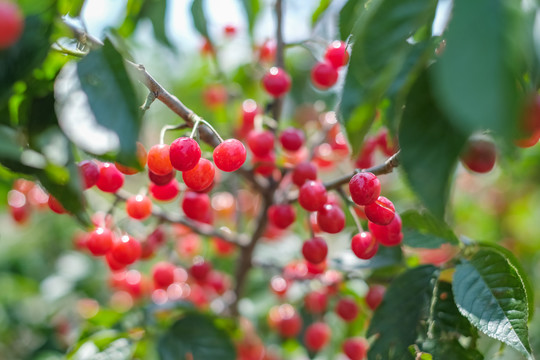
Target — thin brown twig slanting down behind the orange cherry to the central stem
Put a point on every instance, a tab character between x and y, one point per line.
197	227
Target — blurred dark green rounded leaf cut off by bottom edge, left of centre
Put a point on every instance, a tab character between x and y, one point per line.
198	335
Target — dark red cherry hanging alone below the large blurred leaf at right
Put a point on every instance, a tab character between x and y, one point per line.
479	154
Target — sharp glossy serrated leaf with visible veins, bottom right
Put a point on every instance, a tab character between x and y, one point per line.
490	294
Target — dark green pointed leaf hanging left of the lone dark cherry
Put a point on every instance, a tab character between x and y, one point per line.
430	147
